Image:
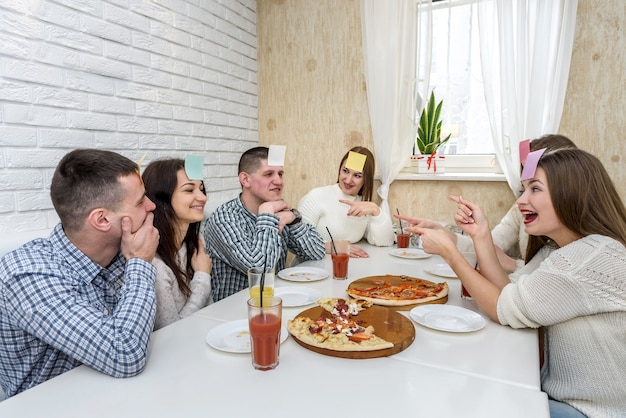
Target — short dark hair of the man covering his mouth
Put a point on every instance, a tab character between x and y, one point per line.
86	179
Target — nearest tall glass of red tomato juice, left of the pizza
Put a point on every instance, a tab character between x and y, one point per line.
264	322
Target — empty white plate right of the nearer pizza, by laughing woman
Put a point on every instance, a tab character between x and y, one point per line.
447	318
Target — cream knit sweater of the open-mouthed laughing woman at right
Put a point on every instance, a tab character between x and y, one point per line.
578	293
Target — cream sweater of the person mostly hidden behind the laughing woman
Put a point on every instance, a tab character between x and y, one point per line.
509	235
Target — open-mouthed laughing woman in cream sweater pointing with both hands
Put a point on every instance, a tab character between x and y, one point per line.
573	284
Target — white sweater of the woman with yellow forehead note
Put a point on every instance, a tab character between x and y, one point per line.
321	208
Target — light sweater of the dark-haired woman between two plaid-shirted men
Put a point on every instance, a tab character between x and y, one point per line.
172	304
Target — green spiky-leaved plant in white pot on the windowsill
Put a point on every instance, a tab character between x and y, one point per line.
428	138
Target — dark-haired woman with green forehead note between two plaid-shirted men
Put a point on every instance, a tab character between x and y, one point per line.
183	283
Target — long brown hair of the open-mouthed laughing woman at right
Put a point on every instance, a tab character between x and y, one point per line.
583	195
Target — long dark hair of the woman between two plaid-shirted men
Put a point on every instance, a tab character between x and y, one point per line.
160	179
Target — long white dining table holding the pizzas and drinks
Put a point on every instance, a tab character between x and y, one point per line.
491	372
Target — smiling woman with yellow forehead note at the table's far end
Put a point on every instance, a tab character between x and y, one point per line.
346	207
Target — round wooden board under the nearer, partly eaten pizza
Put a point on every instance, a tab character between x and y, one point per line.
388	324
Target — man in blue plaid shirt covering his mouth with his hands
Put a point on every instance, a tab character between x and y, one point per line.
85	295
